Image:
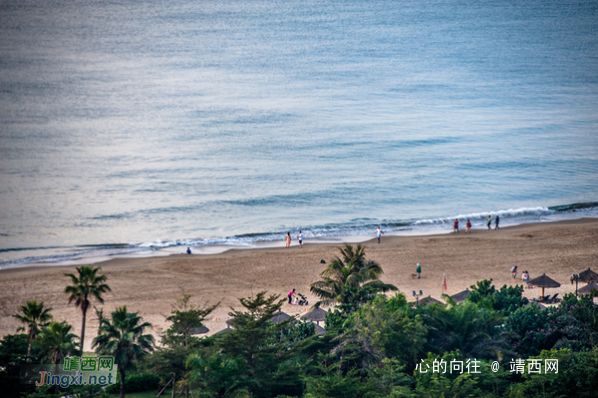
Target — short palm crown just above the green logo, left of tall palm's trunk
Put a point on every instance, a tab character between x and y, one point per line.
56	342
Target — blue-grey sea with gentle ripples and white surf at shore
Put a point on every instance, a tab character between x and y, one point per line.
144	127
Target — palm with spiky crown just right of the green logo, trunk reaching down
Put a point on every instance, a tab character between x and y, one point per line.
123	338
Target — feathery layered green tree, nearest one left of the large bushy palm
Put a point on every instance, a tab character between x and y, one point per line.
257	357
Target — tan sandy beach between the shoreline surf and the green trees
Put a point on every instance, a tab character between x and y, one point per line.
151	285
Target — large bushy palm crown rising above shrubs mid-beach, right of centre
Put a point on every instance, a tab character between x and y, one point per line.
350	278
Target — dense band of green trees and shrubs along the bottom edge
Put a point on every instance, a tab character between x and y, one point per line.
493	344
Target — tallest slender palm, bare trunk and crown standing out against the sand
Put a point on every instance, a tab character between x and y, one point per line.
85	286
